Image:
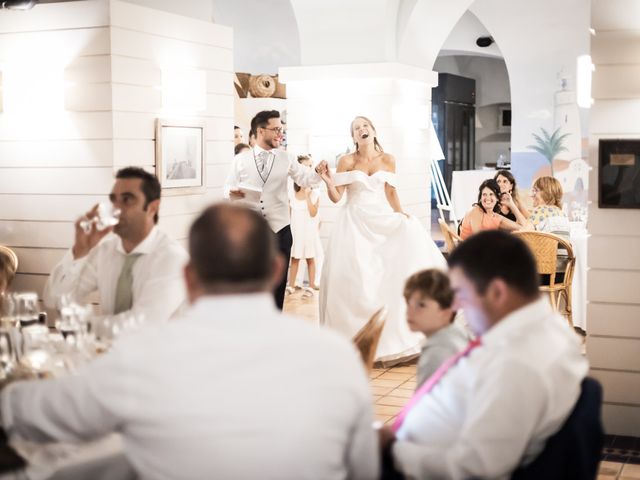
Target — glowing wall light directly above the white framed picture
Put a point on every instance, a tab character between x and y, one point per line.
184	90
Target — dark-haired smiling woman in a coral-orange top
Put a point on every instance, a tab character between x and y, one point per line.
484	214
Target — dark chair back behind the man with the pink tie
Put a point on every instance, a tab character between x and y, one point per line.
574	451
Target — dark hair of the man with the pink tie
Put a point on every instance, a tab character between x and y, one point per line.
494	254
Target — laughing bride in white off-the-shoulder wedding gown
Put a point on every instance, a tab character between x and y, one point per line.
373	249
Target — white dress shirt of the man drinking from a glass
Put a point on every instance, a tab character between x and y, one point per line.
158	286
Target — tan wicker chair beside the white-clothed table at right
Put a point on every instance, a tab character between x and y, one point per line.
545	250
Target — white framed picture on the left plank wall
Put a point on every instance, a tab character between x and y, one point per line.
180	154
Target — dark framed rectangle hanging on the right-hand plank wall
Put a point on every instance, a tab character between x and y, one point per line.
619	173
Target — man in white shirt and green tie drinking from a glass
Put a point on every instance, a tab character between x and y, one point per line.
137	269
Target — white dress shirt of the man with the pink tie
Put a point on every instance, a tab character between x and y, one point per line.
494	410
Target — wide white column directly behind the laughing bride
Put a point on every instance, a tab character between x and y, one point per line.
323	100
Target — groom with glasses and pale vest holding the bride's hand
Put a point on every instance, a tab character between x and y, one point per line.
267	167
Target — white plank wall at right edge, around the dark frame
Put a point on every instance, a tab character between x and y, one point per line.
613	313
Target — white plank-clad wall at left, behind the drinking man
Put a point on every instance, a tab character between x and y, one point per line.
57	164
